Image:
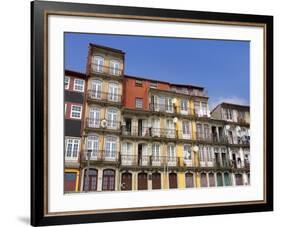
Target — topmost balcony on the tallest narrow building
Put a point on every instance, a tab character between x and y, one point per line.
101	70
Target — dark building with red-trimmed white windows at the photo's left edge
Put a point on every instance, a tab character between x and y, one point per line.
74	90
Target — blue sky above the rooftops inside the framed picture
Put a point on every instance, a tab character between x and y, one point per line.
221	66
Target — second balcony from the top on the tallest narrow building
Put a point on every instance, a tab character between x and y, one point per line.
104	97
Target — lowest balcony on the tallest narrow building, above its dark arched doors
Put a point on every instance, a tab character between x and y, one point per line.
97	156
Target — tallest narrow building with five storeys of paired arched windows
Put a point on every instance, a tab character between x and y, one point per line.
101	131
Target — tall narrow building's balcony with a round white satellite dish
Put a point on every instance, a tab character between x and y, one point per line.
102	124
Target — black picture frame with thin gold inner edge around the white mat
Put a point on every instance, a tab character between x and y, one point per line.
39	94
